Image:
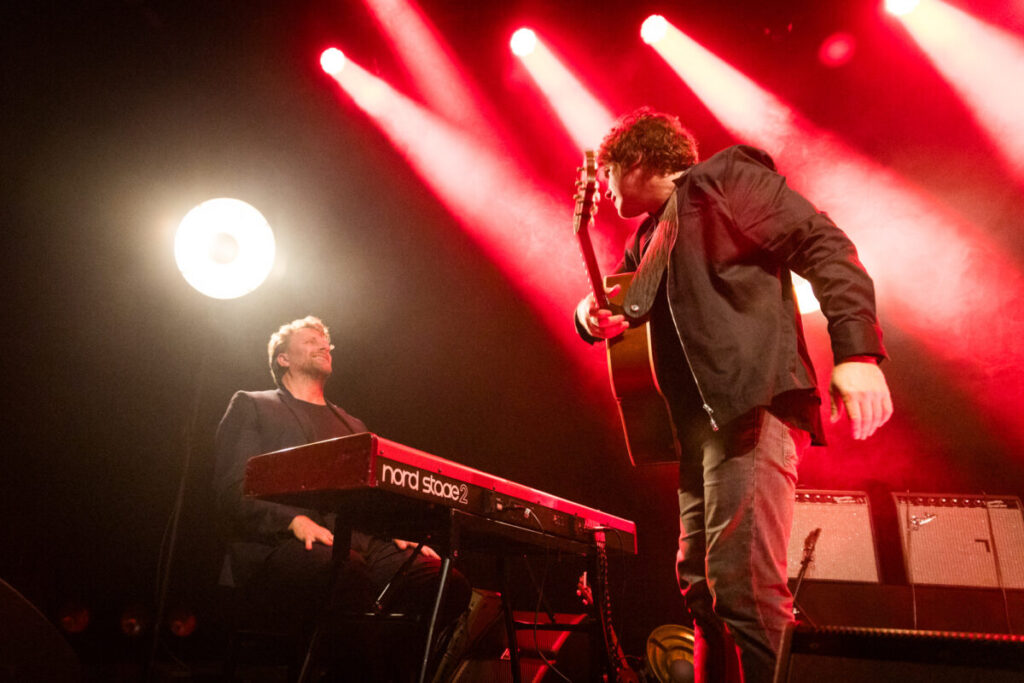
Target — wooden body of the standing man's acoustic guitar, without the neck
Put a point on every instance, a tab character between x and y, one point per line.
651	435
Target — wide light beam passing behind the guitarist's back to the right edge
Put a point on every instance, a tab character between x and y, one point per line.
942	278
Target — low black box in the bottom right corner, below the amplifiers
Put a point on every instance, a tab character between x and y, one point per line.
891	656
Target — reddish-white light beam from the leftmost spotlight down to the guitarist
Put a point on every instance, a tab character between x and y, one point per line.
488	195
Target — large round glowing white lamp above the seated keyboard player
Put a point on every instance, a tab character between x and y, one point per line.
225	248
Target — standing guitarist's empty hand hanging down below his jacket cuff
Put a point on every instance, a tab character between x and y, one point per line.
860	390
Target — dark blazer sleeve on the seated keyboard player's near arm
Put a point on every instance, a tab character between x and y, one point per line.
239	440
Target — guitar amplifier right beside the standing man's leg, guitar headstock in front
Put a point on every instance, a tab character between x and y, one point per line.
845	548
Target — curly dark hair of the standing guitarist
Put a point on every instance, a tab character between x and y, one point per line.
656	141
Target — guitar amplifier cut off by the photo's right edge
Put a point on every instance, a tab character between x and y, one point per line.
962	540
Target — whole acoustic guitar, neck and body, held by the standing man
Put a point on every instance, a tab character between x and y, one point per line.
647	421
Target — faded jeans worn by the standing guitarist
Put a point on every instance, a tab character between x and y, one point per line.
736	511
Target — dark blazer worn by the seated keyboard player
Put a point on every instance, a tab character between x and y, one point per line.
259	422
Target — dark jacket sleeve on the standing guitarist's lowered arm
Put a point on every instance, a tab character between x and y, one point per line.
784	224
